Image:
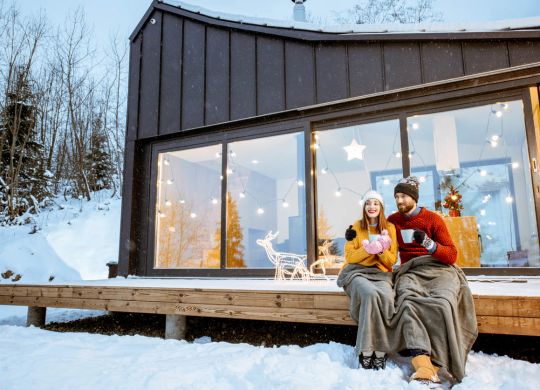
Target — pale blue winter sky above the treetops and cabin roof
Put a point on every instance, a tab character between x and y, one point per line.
121	16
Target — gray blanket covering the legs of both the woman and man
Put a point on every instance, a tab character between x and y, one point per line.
432	310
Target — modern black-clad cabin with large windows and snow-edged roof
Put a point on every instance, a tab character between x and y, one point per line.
239	128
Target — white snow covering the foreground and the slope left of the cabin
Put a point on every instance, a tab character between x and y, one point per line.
76	241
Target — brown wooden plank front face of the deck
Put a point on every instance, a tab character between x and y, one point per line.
501	314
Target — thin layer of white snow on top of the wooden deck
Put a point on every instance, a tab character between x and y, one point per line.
526	286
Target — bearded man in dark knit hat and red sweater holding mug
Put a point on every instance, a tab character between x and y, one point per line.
434	319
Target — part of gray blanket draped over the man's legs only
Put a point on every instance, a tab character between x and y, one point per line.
434	312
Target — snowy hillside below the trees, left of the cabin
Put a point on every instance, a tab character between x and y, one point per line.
73	240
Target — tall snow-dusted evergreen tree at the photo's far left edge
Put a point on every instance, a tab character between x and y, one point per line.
25	182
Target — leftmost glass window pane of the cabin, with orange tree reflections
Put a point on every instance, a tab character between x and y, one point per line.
188	208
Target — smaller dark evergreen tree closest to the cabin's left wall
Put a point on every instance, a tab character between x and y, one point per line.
98	162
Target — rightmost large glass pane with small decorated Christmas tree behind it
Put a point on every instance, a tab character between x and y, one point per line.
474	166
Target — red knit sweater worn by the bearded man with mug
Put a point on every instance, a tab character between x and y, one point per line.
434	227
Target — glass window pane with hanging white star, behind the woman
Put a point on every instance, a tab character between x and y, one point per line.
350	161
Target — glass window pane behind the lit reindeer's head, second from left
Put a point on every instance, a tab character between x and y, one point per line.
265	193
